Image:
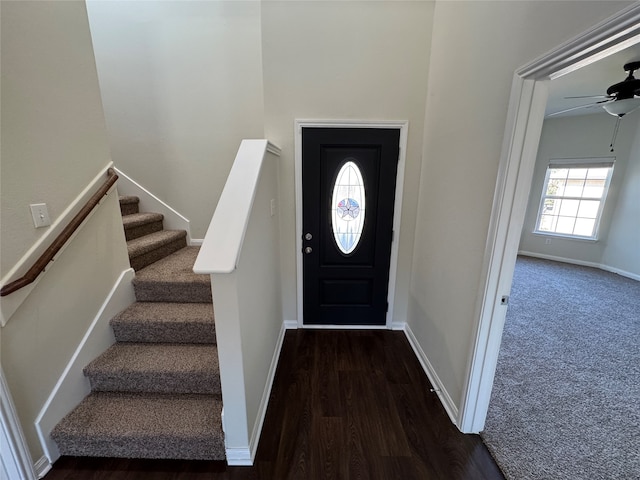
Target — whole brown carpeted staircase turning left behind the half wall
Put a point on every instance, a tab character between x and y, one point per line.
156	392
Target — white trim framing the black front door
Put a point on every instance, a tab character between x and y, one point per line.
403	126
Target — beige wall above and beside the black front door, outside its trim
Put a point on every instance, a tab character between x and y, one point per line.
345	60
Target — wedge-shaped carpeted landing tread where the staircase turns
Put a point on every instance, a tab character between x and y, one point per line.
174	268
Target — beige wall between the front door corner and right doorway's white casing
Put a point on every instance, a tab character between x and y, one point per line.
475	49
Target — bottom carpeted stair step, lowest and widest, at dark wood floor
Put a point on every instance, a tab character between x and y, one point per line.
129	425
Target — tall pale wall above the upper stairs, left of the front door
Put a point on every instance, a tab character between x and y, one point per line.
181	83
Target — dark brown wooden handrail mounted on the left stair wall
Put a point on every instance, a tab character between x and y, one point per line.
41	263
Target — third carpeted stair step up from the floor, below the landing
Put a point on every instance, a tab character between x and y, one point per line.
165	322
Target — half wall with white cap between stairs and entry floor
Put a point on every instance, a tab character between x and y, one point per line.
241	253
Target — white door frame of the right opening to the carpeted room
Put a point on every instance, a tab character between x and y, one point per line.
527	103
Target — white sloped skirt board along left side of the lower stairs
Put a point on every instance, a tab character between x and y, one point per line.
72	386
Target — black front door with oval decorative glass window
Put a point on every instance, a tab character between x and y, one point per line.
348	192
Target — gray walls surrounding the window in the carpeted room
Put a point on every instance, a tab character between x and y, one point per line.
589	136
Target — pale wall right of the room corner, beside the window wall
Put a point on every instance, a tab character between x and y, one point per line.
622	250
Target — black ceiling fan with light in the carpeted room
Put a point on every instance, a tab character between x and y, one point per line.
621	98
